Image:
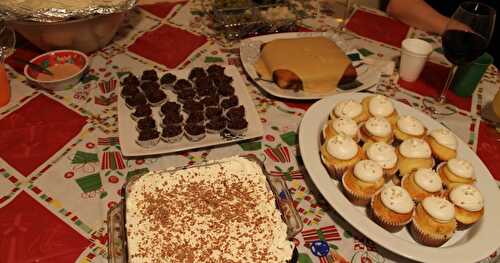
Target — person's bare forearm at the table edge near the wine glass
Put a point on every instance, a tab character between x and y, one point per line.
419	14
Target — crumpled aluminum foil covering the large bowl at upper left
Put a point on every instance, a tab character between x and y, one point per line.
60	10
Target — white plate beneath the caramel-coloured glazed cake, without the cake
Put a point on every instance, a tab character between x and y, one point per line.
250	52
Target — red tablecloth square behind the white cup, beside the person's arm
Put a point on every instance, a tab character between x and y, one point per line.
379	28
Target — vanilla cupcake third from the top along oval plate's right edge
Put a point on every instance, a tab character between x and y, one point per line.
443	144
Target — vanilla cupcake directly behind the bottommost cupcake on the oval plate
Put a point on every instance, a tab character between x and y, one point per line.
422	183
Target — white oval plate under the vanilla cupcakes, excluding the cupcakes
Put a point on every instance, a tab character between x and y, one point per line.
471	245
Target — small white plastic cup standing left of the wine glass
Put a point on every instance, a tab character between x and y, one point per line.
414	54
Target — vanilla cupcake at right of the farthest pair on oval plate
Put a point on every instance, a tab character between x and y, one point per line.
380	106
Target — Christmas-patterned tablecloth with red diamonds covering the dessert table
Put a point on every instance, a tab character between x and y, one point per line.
61	166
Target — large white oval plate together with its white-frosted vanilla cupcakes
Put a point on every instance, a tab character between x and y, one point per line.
401	178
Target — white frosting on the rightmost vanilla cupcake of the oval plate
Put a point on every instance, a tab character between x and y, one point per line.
467	197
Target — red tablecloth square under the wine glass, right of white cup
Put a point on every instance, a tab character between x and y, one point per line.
431	82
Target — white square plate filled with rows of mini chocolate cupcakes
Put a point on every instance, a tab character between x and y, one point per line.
174	111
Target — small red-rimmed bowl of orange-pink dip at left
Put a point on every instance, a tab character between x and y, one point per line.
67	67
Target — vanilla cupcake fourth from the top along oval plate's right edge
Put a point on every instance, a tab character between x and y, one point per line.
455	172
